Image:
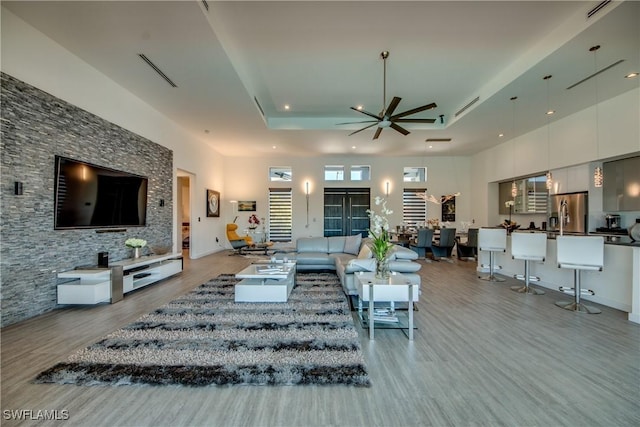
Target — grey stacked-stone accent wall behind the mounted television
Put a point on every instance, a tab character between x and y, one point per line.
36	126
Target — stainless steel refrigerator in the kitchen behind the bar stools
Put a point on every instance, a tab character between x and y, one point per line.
577	212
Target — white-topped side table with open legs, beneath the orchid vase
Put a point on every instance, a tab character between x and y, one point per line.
396	288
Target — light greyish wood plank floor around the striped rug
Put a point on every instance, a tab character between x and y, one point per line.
483	355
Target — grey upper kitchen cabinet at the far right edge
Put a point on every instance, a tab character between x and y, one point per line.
621	187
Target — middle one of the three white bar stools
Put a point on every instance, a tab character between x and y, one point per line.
528	247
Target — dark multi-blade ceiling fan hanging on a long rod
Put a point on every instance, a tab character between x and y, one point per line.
386	118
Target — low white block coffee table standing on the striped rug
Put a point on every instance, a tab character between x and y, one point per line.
264	282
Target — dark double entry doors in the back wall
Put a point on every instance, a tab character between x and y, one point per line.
345	211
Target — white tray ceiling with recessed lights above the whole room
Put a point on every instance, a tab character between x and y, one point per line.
322	57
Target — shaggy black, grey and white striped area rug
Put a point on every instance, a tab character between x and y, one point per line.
204	338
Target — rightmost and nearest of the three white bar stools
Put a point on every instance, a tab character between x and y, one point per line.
579	253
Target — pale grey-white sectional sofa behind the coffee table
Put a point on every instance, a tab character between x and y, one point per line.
347	255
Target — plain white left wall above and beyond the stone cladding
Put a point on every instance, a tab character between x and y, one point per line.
30	56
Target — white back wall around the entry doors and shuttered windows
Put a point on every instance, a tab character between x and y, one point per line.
445	175
